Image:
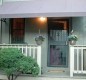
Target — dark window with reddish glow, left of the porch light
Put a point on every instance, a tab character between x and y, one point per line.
17	30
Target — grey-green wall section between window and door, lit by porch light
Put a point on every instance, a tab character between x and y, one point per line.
31	31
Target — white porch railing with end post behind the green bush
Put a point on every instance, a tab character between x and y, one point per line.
28	50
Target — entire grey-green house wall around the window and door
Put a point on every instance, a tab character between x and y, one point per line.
32	26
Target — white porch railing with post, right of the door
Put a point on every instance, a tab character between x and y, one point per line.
77	59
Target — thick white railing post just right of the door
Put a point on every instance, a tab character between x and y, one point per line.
71	51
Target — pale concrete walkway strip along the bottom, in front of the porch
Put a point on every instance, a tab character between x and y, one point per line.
3	77
